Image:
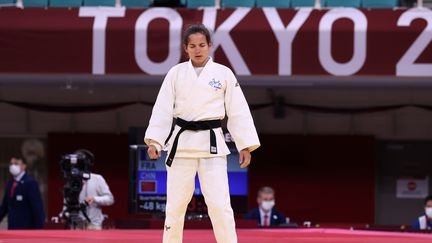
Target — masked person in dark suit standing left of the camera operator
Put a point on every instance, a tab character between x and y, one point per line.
22	201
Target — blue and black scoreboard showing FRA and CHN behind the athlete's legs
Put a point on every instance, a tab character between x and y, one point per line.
151	183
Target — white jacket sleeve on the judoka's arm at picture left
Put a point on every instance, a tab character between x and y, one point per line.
162	115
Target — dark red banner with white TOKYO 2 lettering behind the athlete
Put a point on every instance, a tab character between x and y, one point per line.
267	41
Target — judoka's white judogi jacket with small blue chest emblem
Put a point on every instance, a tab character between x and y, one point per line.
211	95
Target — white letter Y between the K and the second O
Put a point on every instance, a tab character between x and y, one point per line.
285	35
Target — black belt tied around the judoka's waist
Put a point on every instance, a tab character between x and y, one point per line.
194	126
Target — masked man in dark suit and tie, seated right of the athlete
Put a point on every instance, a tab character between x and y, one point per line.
266	214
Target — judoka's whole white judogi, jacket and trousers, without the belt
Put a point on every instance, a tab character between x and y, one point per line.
191	97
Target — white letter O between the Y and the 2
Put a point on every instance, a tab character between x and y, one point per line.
325	45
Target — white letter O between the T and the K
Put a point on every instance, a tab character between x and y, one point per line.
141	43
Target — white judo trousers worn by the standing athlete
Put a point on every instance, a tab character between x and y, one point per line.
213	176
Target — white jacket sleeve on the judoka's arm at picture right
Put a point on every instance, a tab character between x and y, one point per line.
240	123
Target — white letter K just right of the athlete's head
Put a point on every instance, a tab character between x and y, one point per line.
222	37
